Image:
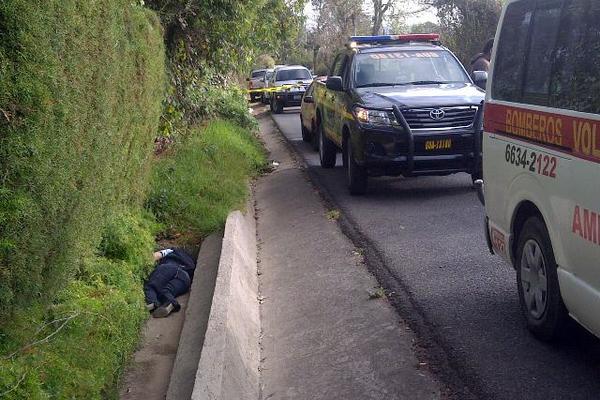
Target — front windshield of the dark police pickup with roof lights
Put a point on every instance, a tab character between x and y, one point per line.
407	67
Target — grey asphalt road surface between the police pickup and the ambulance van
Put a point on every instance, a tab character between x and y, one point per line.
428	233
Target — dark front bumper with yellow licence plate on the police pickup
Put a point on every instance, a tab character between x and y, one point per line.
402	151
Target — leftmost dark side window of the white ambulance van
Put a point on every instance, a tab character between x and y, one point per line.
512	50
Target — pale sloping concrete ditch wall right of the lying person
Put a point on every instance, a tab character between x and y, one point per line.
228	367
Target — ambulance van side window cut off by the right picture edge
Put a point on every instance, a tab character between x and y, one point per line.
576	78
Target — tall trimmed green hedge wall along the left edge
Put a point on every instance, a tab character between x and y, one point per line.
81	84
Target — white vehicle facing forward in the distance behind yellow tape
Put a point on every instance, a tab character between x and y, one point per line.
291	82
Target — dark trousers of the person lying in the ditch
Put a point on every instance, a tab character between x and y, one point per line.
166	282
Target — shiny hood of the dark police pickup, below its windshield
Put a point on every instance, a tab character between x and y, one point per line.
421	96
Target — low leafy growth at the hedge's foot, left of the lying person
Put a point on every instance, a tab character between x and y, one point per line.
92	325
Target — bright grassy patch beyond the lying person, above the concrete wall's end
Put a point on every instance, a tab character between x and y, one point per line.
194	188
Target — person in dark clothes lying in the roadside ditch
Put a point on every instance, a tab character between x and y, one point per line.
171	277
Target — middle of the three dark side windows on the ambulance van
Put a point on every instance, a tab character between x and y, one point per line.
546	23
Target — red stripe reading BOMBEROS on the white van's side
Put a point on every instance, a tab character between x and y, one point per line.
579	137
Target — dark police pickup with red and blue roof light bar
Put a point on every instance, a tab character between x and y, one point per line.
398	105
